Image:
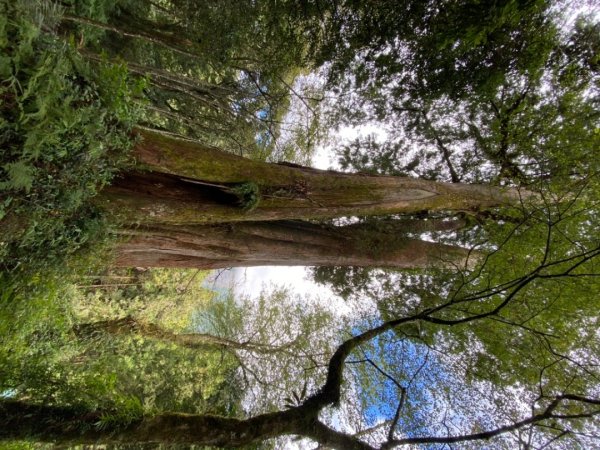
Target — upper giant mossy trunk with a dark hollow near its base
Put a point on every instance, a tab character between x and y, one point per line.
189	185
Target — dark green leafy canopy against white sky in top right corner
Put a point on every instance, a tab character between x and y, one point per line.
502	101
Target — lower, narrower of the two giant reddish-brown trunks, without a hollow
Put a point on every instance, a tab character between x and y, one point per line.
287	243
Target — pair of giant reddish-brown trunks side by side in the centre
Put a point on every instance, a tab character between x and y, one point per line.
183	212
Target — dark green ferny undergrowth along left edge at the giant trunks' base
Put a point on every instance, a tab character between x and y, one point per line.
64	132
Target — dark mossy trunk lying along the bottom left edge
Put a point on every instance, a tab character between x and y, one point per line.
65	426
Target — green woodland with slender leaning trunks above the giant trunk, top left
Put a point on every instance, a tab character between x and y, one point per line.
222	75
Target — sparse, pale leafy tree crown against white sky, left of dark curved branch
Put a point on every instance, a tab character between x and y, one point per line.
283	337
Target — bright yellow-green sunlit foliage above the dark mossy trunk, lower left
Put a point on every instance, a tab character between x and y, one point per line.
45	359
